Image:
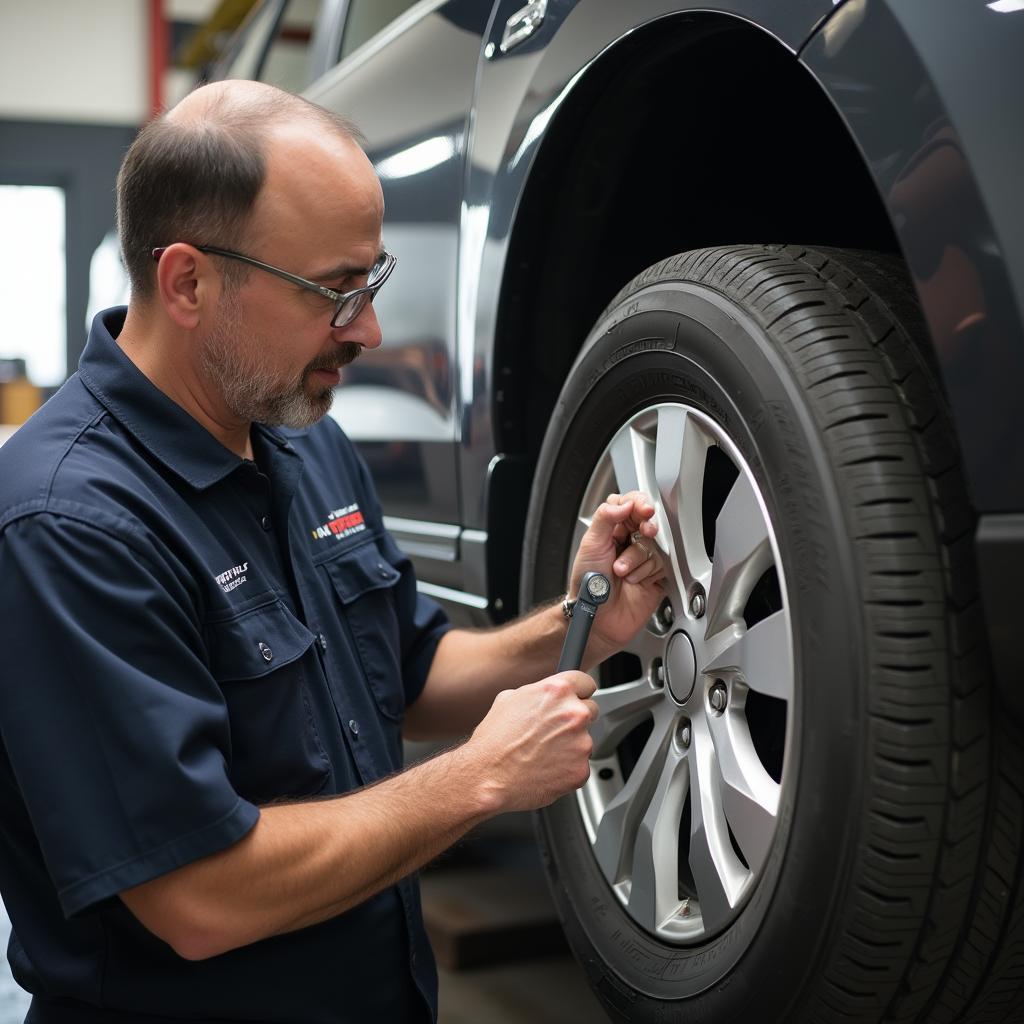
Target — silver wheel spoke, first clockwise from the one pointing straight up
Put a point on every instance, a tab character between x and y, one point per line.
743	553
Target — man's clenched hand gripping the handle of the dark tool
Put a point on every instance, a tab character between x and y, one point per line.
534	746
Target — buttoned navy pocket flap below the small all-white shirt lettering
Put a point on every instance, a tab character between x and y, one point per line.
258	643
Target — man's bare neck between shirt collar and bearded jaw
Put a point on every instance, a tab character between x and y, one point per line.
165	362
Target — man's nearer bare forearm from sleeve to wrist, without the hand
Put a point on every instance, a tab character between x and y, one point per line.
304	864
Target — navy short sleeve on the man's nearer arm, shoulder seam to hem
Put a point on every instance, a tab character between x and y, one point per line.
117	734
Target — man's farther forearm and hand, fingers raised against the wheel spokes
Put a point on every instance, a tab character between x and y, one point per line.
471	667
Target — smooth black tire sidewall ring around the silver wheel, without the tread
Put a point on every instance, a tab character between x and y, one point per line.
679	342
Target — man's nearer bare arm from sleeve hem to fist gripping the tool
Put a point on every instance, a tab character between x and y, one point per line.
306	863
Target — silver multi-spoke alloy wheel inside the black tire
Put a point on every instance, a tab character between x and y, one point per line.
689	734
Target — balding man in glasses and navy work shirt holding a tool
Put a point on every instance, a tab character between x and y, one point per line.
216	645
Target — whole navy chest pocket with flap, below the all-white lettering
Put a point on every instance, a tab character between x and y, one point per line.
259	658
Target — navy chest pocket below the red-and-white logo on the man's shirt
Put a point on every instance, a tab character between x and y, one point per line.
364	583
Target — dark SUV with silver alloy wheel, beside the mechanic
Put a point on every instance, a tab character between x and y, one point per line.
766	263
